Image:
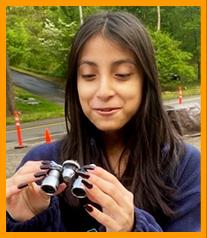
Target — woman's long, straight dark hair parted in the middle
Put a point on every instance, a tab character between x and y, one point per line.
153	145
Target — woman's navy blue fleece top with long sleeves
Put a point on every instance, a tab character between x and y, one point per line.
59	216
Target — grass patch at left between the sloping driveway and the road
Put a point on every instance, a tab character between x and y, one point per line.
43	110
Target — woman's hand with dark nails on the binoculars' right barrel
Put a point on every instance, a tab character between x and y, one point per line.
116	201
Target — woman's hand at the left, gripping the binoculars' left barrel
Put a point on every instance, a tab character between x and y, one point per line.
25	199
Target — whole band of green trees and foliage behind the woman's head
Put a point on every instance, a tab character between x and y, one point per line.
39	38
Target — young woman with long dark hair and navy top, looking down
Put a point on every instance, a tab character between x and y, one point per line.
146	178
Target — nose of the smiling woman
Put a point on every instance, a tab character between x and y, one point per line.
105	88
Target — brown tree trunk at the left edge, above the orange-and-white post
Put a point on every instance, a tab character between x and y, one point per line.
10	102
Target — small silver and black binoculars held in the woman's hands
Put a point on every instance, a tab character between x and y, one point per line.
65	173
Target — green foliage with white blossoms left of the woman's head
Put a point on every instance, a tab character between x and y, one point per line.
40	44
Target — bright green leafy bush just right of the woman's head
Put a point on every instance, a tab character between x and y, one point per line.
172	60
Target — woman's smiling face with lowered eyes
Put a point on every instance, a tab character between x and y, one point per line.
109	83
